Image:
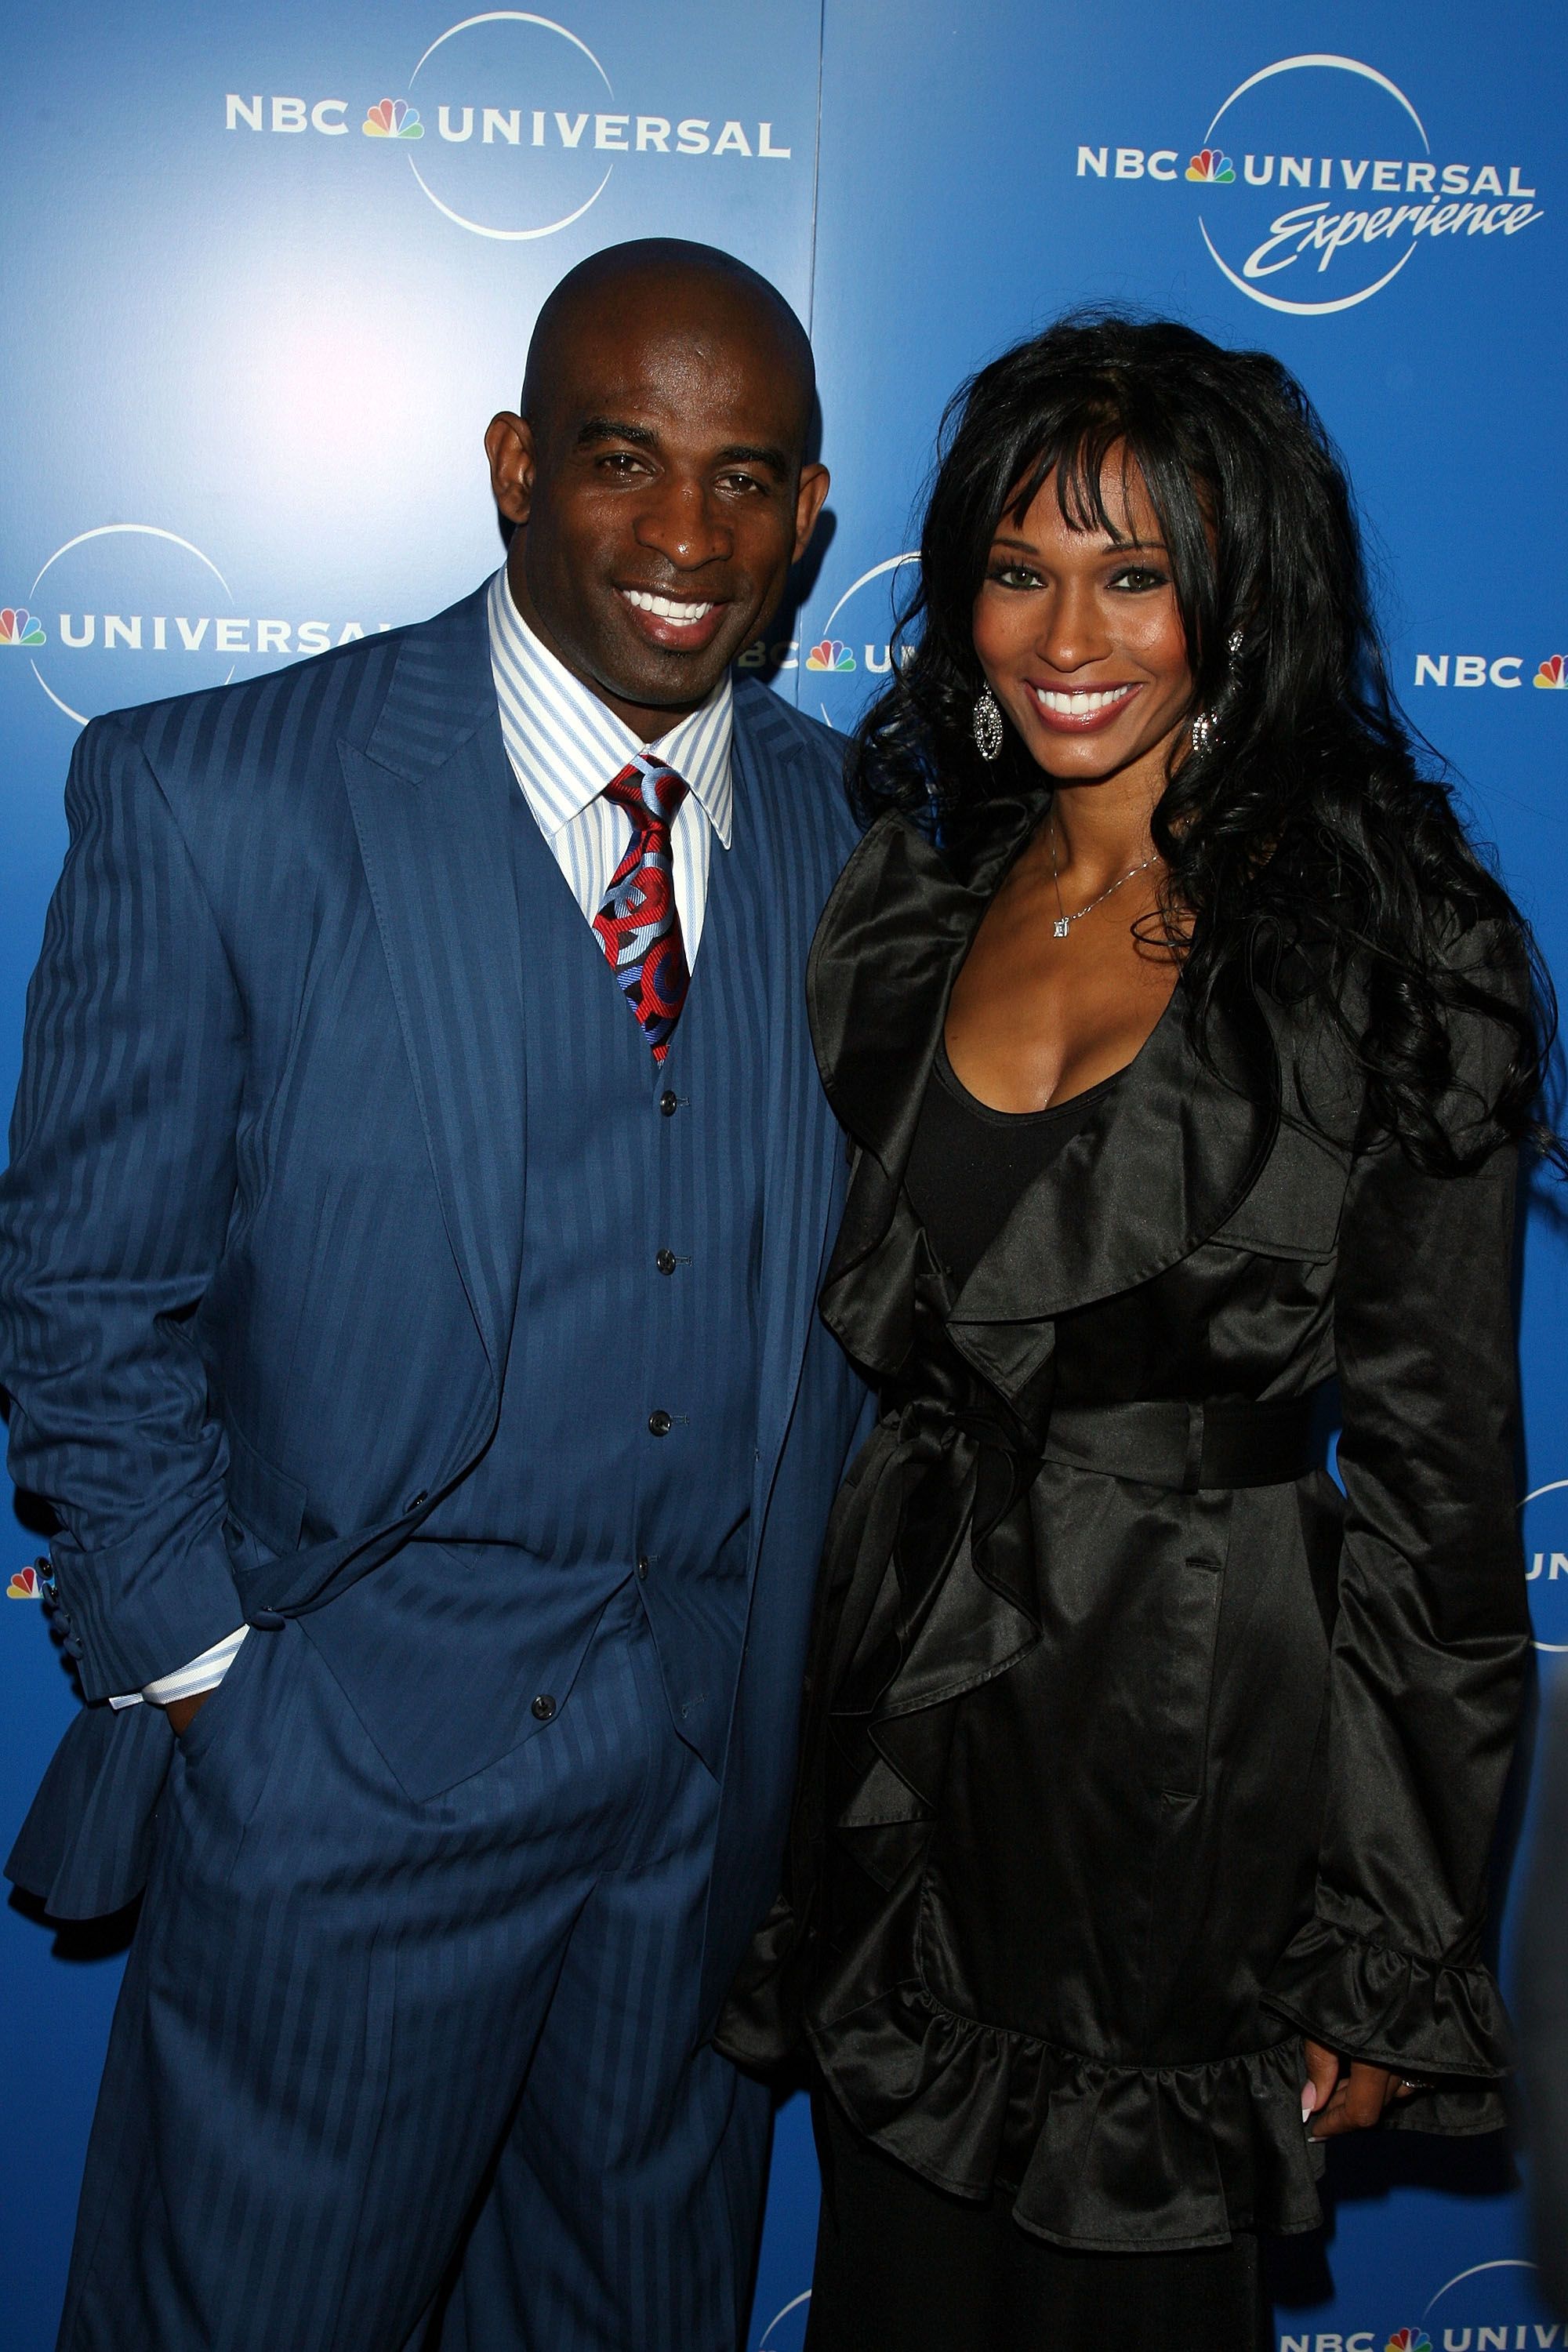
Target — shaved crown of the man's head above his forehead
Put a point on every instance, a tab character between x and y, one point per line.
666	288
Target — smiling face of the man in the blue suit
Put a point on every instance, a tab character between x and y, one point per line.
659	490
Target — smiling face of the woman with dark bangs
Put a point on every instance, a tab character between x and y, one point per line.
1083	639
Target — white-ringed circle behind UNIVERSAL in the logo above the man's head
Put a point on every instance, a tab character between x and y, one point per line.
514	133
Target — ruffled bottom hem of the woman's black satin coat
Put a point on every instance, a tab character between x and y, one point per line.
1094	2156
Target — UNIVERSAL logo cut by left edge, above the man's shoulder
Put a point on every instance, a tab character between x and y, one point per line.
133	613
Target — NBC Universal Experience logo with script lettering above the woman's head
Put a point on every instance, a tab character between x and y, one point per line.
1372	189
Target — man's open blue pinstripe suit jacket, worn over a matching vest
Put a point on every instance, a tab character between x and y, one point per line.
243	1372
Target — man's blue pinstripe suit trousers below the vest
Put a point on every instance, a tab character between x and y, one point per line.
422	2076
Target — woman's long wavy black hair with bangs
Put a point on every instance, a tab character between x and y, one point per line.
1308	848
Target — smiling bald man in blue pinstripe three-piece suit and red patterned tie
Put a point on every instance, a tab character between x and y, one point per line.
408	1264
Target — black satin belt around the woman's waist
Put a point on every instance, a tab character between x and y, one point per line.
1165	1443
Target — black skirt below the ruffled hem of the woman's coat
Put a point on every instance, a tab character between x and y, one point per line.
902	2266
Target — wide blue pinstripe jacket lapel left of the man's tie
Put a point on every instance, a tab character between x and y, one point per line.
431	796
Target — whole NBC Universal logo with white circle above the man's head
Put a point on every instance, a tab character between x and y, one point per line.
514	128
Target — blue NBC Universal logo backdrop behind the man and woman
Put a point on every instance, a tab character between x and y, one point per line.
272	269
